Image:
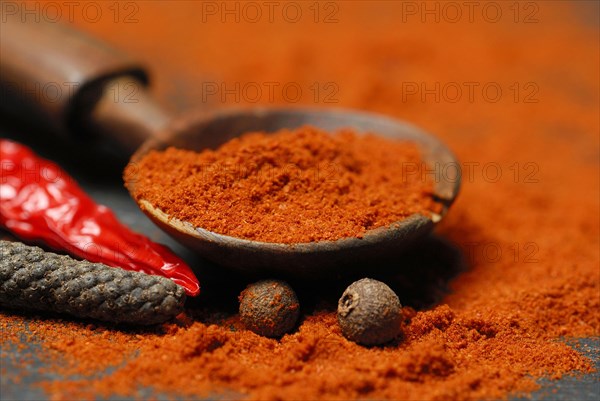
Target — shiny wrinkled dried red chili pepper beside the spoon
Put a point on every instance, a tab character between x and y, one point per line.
41	202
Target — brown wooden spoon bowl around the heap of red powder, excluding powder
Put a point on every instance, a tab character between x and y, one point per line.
310	259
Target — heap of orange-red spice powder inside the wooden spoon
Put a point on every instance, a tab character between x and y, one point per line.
288	187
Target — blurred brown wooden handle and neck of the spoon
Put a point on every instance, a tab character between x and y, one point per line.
74	82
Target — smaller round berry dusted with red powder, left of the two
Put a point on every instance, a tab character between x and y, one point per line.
269	308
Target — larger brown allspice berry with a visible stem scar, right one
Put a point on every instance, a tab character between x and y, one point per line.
369	312
